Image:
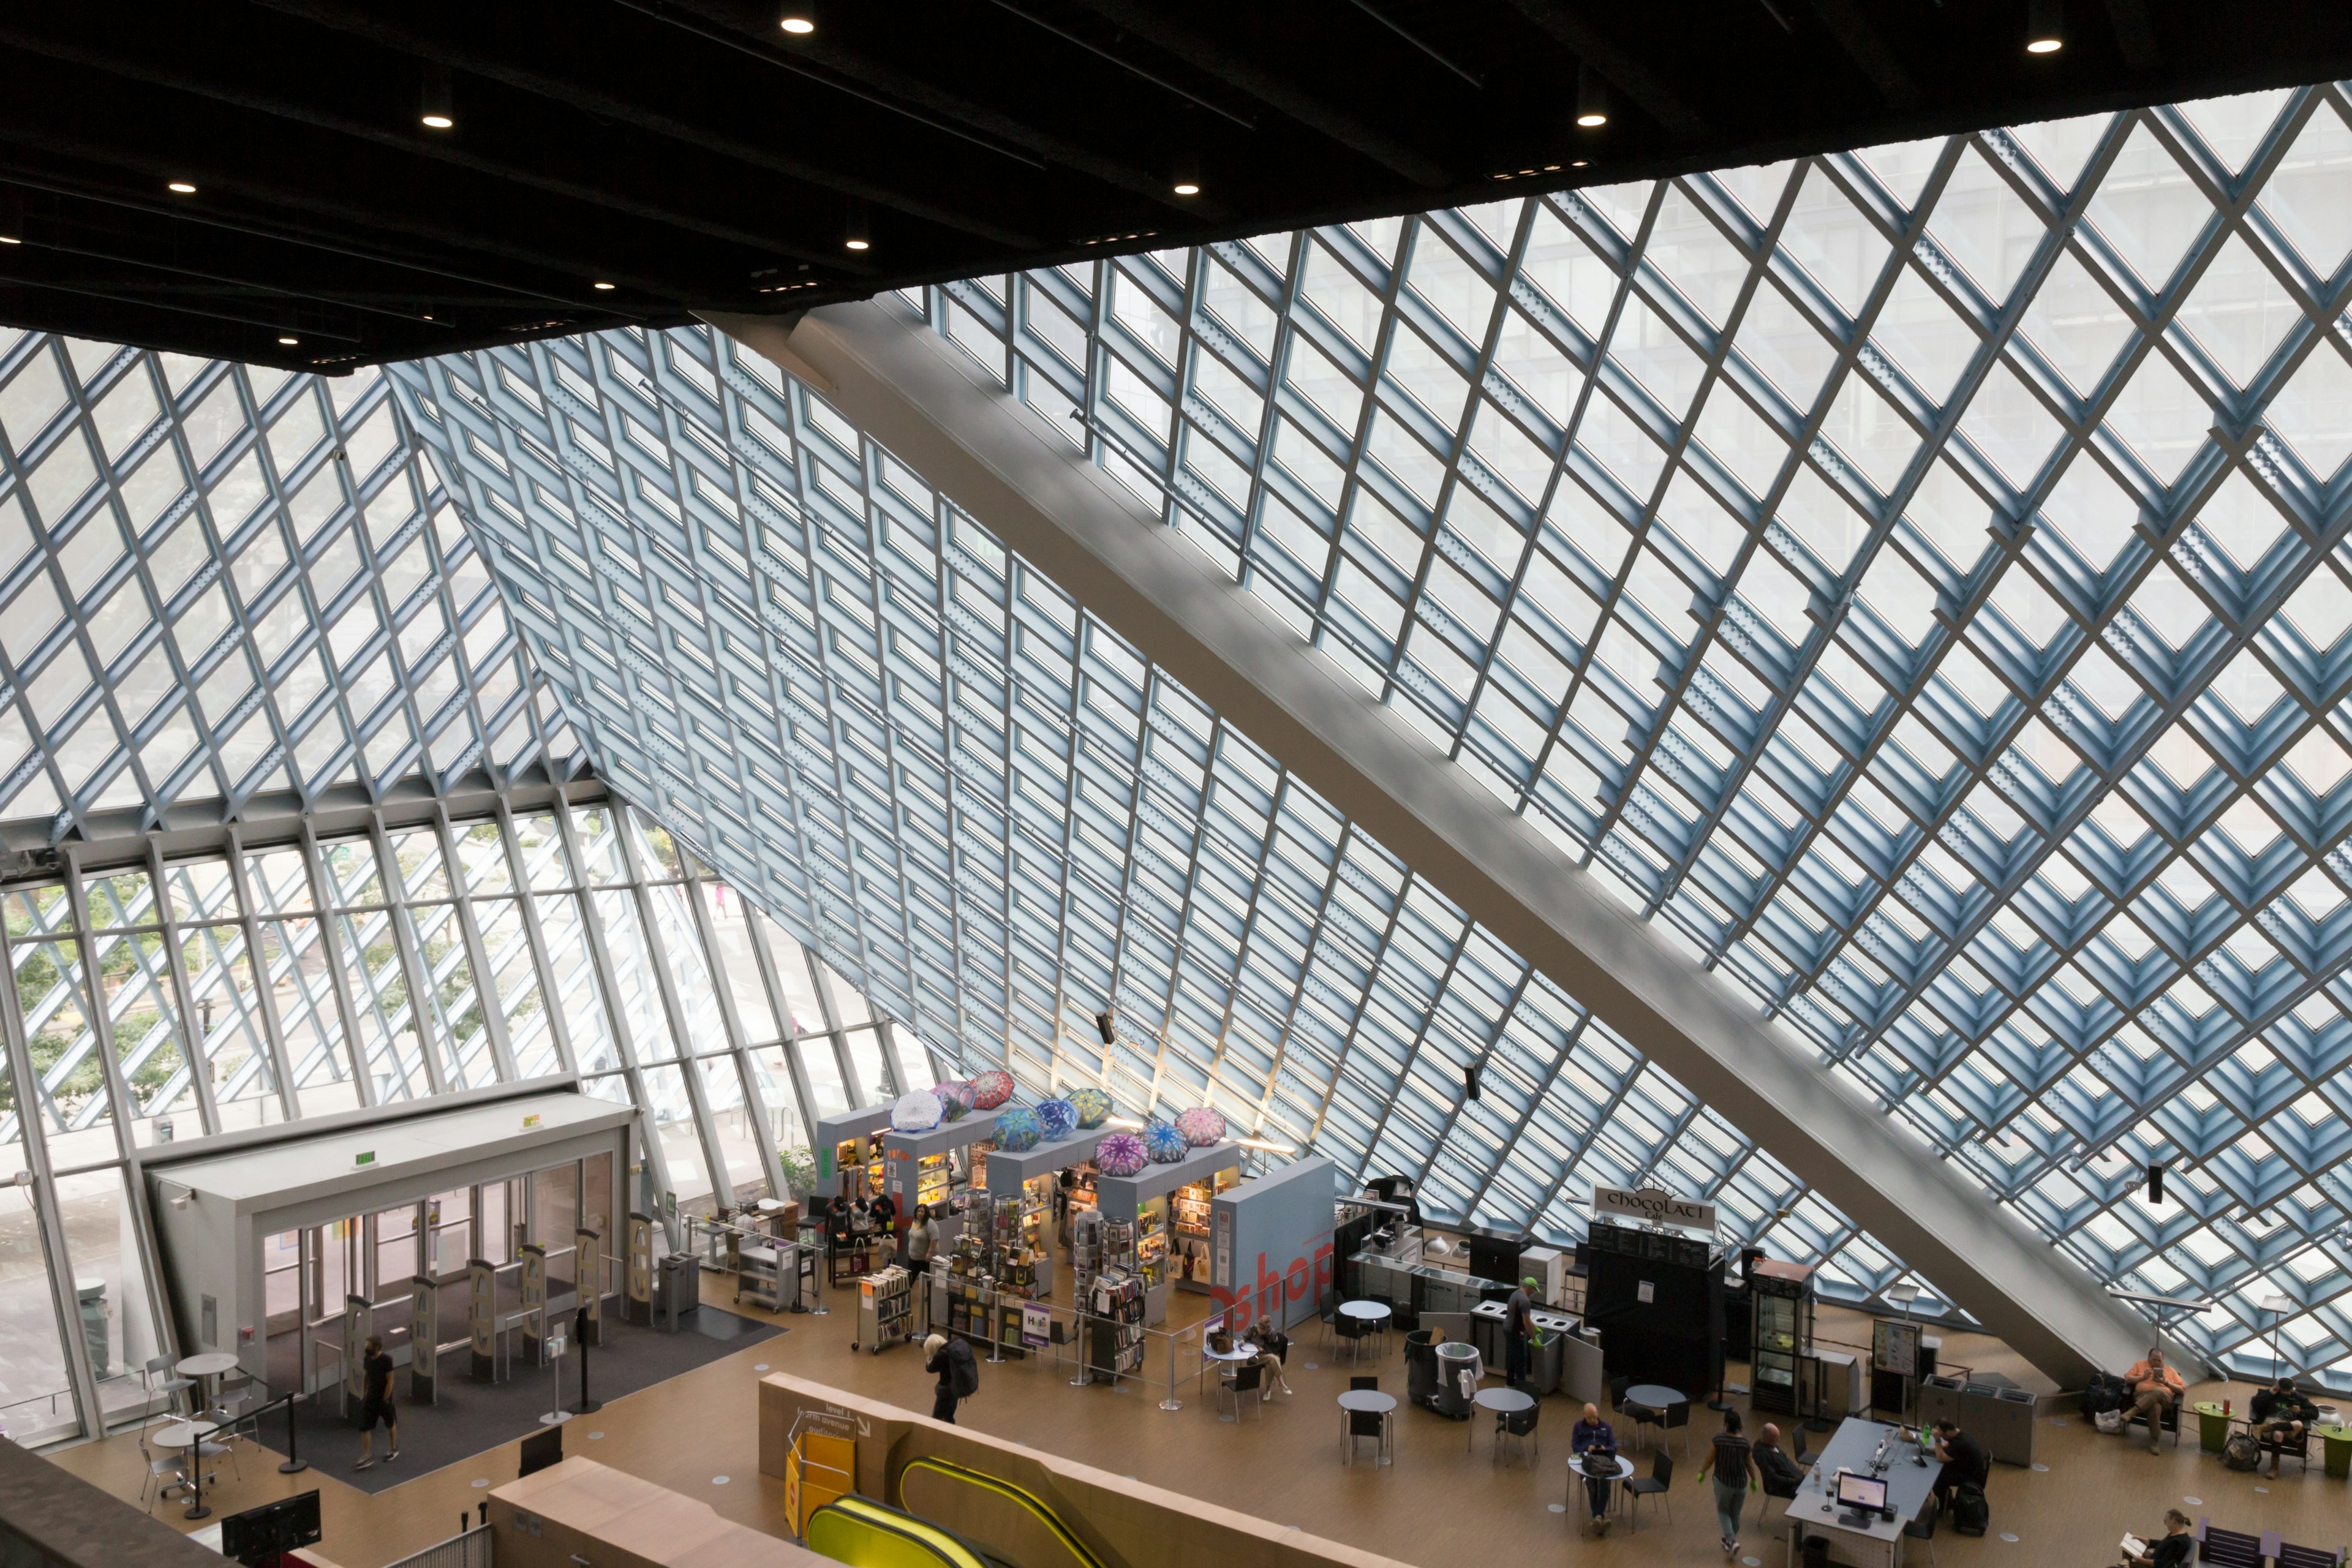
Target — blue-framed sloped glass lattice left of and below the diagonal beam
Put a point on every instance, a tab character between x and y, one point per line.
994	817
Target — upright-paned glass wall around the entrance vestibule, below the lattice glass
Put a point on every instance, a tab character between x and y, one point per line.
403	958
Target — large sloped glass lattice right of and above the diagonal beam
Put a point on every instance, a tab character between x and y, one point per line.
1916	577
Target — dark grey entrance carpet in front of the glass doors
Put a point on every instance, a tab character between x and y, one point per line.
474	1419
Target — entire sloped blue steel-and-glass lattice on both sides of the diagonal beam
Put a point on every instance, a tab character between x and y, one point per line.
1911	577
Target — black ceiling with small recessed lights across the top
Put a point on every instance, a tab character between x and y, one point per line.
693	156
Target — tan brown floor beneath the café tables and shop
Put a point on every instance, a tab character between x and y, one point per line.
1445	1503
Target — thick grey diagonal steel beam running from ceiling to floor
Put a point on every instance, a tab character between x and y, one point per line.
968	436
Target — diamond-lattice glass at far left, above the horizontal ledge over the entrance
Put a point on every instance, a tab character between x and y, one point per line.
222	582
